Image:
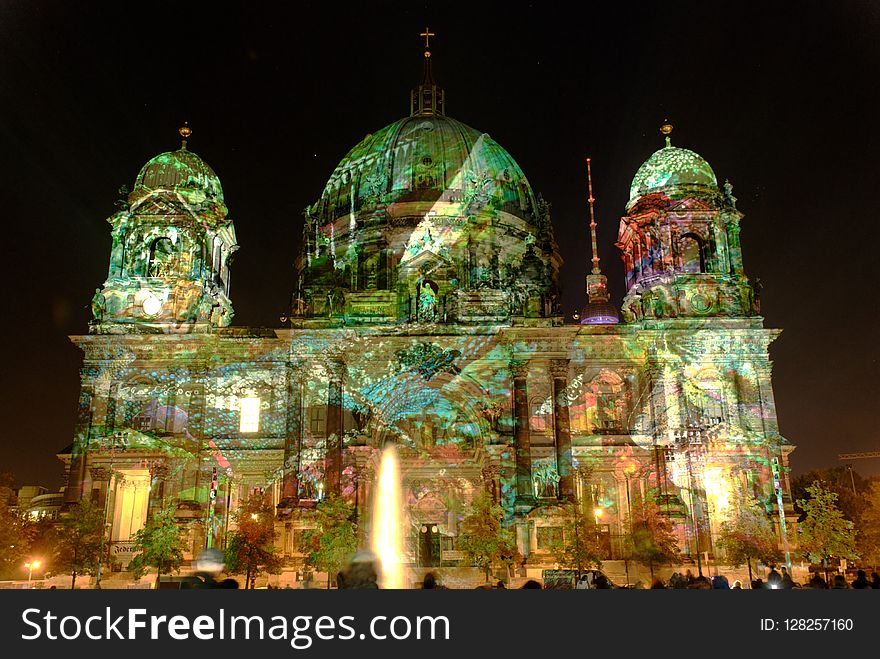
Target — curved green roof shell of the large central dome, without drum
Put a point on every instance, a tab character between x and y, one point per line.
419	158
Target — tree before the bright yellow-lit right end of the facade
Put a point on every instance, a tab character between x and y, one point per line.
750	535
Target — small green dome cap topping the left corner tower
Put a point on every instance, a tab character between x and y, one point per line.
179	171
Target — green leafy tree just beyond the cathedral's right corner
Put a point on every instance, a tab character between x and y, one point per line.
824	533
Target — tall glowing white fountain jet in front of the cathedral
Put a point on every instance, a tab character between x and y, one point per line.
388	518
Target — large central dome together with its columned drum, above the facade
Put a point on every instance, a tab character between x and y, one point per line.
427	207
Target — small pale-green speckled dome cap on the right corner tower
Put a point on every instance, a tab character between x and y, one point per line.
671	167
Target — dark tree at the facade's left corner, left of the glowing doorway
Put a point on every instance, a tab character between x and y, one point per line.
78	541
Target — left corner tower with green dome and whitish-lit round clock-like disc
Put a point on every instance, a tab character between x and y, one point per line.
172	246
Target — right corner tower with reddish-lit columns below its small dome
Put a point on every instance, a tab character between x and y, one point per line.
680	241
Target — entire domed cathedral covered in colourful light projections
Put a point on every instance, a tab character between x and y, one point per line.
426	313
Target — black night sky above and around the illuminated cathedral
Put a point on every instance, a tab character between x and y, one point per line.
783	101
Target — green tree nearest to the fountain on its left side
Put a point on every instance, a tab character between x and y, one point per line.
334	539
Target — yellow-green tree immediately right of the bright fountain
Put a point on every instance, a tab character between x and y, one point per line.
483	538
